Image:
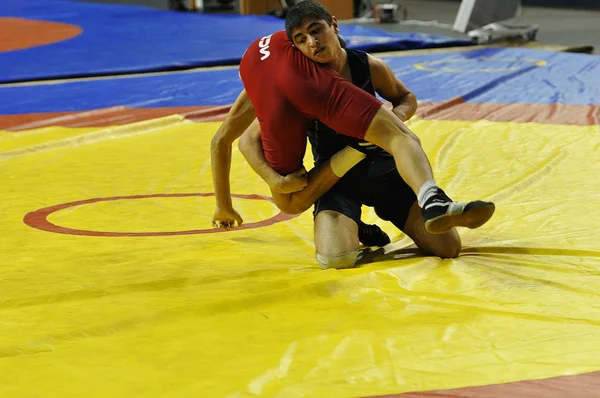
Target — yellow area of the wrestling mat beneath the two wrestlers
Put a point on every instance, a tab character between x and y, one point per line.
119	287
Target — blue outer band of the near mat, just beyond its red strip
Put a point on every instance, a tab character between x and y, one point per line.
499	75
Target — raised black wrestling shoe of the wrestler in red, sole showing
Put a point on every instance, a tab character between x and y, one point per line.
441	214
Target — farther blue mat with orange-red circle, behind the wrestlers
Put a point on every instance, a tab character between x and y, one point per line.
109	39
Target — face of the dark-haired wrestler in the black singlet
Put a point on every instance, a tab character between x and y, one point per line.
318	40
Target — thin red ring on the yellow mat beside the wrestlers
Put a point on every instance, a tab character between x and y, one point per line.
39	218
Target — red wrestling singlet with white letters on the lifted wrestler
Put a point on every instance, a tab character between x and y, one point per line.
289	90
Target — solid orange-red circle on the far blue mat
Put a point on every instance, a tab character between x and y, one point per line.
21	33
